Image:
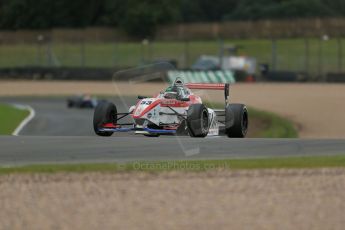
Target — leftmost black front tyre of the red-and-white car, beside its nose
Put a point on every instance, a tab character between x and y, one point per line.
104	113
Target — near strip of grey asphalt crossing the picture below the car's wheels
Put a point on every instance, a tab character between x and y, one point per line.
33	150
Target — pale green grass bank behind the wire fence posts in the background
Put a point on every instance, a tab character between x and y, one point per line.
290	53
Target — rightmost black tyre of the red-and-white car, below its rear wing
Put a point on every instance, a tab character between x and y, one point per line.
236	120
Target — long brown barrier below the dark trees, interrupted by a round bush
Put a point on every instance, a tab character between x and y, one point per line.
288	28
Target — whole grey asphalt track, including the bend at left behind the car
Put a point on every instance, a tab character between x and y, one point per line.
61	135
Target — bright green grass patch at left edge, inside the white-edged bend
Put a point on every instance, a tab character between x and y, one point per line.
10	118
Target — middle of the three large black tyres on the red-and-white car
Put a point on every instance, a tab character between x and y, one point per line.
197	120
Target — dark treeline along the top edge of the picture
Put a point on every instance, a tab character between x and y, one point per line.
141	17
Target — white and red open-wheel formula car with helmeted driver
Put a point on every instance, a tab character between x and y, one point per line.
175	111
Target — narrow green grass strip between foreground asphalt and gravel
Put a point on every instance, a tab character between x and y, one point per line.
188	166
